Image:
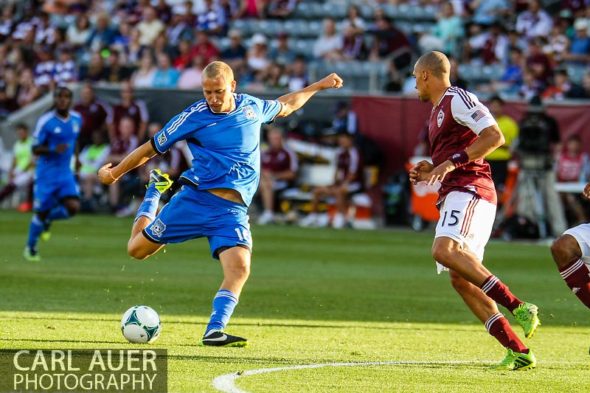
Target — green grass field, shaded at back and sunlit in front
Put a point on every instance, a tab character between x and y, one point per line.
314	297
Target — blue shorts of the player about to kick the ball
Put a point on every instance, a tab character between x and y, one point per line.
193	213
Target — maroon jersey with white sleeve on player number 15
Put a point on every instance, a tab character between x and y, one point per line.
455	122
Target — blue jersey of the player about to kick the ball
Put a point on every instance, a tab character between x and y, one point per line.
225	146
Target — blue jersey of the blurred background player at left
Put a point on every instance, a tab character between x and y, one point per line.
53	130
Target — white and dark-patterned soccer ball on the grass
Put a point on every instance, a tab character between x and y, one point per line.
141	324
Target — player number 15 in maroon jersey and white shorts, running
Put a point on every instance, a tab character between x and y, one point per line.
462	132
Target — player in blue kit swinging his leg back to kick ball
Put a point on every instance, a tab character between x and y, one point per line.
223	134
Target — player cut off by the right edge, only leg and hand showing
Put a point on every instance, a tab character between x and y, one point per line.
571	253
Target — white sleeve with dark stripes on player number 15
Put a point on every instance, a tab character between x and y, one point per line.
468	111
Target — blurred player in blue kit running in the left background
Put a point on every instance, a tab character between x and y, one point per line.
56	193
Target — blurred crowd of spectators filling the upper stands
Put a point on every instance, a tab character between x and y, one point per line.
515	48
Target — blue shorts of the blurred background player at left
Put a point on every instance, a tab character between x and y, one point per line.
49	193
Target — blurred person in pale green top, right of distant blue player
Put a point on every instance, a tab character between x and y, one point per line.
92	157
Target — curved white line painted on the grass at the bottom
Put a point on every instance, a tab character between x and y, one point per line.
226	383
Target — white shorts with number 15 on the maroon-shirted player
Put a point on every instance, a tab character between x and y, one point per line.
468	220
